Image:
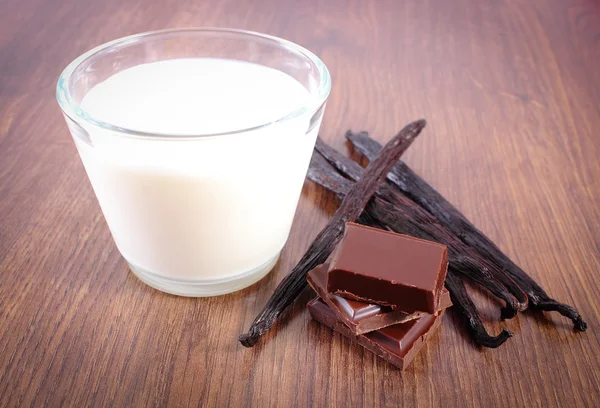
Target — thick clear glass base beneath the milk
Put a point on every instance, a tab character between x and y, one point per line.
203	288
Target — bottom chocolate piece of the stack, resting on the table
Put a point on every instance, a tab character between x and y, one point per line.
398	344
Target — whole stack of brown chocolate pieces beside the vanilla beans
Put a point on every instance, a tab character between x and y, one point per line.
383	290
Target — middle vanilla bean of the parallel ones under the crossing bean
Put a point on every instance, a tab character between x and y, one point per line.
474	266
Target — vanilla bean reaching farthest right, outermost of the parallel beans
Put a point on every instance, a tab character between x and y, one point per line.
427	197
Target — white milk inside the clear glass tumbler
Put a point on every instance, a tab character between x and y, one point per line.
198	211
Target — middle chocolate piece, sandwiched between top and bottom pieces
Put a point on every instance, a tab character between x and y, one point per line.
363	317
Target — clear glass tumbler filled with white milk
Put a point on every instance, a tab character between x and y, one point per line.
196	143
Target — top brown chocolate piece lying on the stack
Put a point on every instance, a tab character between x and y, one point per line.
377	266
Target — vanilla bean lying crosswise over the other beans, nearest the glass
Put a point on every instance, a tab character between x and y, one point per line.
350	209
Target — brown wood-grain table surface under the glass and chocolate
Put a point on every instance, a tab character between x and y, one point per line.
511	91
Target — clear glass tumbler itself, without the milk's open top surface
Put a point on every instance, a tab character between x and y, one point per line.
197	214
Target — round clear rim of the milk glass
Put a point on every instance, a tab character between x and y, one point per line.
74	111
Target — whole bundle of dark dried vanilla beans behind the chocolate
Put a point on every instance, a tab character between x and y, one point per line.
407	204
